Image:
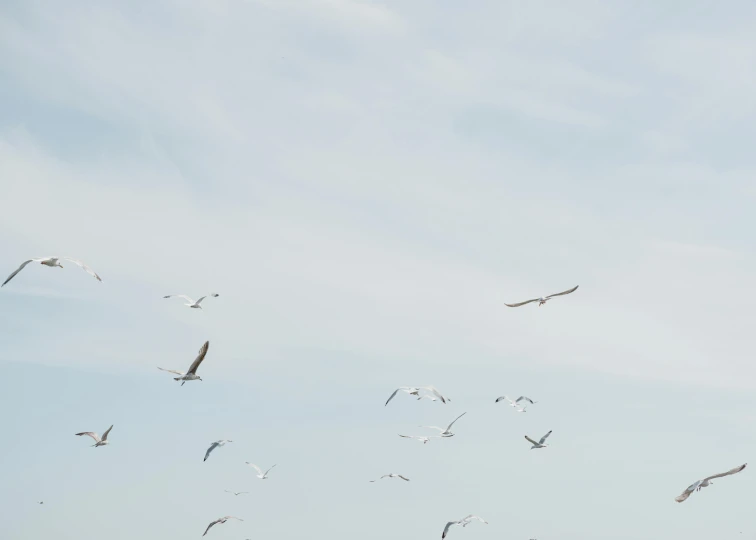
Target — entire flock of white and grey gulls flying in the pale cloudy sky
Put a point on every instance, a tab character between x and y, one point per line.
429	392
